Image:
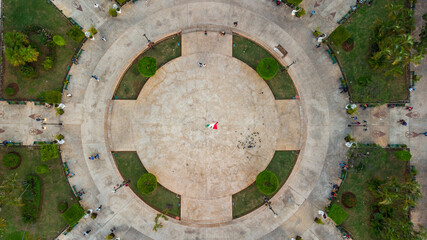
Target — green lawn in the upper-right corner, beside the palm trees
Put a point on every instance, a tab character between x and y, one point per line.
355	63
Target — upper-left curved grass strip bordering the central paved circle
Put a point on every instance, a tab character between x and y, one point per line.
132	82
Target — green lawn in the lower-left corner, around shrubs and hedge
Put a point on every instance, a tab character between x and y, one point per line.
54	190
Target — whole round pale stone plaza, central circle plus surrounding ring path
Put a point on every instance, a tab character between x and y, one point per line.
166	124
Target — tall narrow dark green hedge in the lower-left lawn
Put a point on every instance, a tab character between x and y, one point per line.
31	199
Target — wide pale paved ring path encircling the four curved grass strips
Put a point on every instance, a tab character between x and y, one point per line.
86	124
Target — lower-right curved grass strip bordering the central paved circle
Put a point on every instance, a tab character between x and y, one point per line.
250	198
